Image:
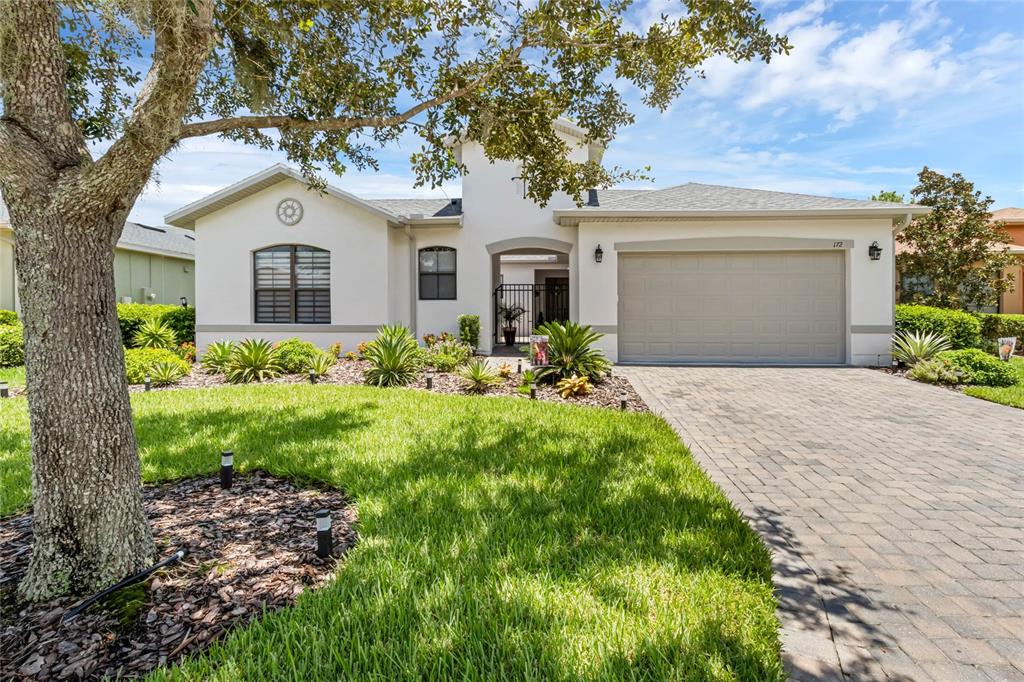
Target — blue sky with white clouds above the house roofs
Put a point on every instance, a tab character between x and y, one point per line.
871	93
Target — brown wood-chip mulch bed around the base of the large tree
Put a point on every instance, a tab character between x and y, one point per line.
250	549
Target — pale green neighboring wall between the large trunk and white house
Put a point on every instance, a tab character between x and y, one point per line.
138	275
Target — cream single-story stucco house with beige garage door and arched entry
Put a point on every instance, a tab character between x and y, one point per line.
693	274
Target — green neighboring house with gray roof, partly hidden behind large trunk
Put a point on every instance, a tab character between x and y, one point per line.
151	265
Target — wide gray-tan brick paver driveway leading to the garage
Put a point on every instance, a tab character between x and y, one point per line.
895	511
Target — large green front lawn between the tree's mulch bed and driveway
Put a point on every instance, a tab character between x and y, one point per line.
499	539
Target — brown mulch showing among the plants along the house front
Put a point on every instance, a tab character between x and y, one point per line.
347	373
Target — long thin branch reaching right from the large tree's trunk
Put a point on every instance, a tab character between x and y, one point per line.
345	123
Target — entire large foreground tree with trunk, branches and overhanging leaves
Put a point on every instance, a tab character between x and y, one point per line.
327	82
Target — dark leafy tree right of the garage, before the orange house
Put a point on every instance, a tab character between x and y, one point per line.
957	248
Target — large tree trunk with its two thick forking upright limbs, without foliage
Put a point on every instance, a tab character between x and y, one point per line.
68	212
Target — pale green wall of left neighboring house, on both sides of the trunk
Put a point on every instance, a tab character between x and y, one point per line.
136	274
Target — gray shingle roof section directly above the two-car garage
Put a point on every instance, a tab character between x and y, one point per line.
697	197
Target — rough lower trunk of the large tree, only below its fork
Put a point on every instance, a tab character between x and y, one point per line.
90	526
